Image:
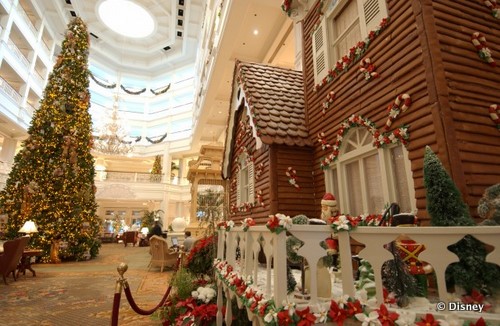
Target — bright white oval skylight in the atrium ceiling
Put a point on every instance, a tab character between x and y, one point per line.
126	18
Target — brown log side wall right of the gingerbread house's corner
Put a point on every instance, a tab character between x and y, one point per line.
472	86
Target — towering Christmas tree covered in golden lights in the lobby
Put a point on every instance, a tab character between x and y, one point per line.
52	178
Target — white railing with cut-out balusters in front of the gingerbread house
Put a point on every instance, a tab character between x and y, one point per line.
272	279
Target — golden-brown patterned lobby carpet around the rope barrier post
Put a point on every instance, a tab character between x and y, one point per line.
81	293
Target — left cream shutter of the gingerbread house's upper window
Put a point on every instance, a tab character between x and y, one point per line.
320	51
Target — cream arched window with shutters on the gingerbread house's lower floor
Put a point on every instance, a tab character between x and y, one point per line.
365	178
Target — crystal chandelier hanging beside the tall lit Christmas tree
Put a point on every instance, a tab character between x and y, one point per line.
112	137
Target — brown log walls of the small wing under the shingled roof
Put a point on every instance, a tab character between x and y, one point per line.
282	174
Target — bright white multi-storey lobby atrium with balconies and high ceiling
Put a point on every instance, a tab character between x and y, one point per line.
160	86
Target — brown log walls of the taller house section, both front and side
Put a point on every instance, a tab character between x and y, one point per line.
425	51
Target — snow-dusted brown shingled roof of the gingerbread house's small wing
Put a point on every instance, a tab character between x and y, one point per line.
275	97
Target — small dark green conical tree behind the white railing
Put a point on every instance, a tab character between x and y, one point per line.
446	208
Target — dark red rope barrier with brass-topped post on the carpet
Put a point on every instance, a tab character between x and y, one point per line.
122	283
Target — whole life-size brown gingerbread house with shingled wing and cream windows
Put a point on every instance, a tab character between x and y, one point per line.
381	80
